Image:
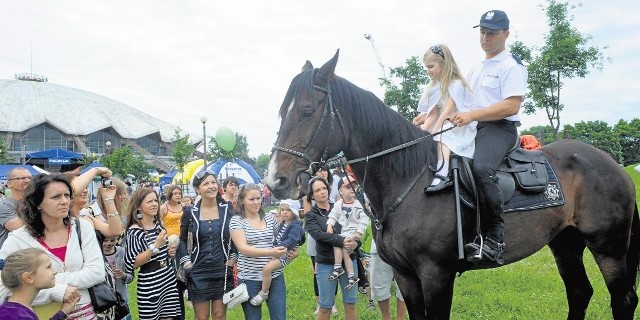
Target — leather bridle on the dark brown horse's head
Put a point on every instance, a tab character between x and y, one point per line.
329	111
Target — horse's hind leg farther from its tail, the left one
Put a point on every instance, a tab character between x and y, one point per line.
568	248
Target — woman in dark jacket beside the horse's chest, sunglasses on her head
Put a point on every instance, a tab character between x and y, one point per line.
316	225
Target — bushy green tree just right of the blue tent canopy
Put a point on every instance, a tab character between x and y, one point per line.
123	161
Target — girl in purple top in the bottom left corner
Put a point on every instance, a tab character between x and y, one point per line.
25	272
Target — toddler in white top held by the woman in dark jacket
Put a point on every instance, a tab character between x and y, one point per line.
348	212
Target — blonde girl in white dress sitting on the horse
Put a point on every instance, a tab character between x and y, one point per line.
447	93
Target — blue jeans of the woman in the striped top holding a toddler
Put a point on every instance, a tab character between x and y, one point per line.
276	303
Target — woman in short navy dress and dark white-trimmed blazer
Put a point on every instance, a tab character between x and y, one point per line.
213	255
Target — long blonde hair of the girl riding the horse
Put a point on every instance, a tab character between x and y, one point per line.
450	71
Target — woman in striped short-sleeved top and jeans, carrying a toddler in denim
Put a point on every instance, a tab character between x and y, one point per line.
252	233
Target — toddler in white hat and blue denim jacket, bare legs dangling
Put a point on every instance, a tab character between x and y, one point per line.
288	233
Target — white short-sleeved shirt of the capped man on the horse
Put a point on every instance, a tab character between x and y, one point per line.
496	79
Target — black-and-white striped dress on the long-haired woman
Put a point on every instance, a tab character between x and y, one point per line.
157	295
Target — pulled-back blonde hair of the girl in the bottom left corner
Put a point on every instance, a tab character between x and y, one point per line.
17	263
